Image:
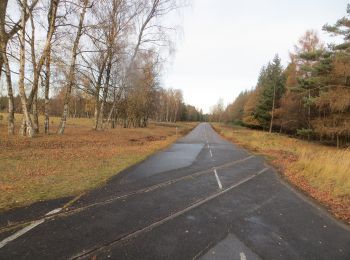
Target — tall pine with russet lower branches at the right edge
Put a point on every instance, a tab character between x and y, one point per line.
333	70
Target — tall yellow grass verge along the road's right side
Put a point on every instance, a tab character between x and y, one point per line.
320	171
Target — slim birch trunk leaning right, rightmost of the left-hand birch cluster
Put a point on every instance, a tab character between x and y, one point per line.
71	76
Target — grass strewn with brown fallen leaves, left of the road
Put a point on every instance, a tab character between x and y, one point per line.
53	166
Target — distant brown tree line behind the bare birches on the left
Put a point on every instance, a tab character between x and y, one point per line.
167	106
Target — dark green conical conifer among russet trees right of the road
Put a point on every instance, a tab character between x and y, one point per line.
271	83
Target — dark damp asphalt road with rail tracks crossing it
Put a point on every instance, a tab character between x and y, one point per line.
203	198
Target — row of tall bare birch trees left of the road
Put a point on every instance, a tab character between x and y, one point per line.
91	58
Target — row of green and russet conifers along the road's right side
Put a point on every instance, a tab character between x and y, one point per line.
310	98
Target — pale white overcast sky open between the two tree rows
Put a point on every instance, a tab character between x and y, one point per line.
226	42
